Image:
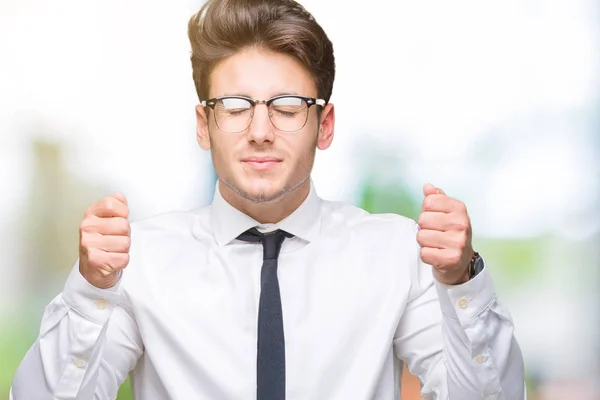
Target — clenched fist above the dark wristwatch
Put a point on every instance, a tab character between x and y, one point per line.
445	236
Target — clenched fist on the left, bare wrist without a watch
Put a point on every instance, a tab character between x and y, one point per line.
104	241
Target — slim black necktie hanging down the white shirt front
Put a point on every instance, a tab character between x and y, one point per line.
270	360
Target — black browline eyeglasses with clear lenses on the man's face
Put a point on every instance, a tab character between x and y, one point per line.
288	113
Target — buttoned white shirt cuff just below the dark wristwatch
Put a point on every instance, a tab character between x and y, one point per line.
466	301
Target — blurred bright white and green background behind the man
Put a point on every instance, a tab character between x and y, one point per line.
498	103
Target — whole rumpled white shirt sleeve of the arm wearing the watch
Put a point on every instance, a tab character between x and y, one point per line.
459	340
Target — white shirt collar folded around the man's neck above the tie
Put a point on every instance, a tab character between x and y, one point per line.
227	222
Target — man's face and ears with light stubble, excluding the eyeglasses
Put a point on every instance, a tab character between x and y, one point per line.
262	163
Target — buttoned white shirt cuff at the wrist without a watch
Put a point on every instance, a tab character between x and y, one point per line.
89	301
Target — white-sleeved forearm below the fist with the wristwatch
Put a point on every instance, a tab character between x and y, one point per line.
482	356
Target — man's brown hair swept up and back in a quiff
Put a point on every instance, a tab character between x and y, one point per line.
224	27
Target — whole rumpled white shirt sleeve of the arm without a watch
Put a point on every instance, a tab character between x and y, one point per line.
87	344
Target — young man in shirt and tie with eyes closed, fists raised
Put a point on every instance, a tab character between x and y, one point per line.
271	292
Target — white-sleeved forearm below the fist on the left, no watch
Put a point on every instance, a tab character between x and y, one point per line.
66	355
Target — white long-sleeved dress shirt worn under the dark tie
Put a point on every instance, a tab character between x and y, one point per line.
357	302
